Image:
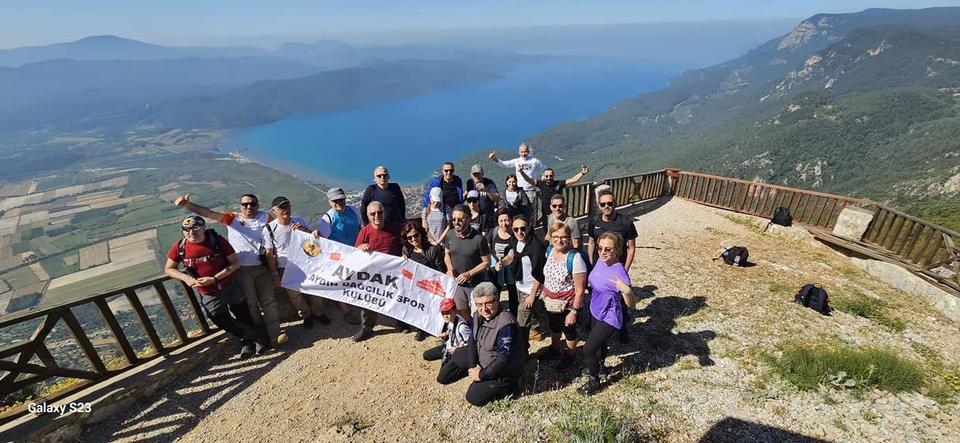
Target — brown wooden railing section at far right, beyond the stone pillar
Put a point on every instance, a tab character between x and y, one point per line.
917	242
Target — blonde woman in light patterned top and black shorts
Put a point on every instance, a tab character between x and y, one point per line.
564	280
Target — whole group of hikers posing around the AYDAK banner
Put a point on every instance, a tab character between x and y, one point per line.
483	238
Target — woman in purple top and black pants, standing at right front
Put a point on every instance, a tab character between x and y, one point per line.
608	281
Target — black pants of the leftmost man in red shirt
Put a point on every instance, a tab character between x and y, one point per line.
230	300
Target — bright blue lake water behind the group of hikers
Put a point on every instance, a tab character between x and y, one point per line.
412	136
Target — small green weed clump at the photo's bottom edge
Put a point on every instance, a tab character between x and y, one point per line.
589	422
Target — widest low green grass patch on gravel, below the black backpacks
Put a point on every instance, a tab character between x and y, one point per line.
845	367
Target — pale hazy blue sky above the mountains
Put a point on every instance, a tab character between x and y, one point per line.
31	22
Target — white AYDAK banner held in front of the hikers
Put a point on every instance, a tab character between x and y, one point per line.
389	285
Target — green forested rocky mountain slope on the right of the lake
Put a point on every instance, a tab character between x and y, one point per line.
865	104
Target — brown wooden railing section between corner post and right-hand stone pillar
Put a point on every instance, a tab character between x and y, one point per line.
761	199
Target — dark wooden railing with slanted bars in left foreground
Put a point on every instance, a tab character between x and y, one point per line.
21	373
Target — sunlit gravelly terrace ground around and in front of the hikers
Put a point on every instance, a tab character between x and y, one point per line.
694	369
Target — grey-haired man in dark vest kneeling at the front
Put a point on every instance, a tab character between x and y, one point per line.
500	354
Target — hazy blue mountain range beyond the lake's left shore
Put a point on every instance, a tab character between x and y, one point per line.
112	83
